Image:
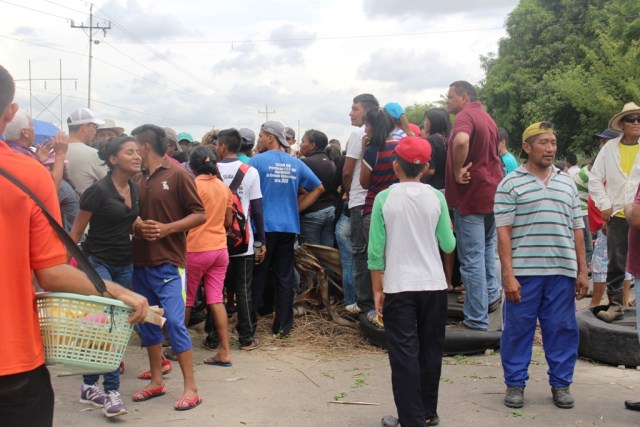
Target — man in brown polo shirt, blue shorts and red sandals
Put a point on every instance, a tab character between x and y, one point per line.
169	206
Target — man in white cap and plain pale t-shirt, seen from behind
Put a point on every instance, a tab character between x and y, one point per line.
84	167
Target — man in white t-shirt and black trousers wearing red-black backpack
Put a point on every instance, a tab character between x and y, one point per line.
240	269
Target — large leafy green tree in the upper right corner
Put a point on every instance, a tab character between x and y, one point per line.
571	62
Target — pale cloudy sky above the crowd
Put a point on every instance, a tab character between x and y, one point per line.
195	64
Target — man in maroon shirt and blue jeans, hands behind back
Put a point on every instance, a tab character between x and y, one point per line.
473	171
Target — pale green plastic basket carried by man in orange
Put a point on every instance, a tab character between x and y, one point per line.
83	334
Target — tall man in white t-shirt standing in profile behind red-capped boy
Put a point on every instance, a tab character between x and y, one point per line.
356	194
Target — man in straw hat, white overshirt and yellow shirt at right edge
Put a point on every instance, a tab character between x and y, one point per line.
617	165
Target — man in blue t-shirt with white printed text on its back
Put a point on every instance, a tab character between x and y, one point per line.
281	177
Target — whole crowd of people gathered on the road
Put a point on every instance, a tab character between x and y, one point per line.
404	204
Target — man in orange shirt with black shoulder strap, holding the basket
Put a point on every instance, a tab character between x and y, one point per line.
29	245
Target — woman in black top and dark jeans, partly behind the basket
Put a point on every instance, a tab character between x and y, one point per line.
110	208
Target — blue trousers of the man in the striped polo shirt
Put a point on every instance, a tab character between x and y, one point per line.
551	299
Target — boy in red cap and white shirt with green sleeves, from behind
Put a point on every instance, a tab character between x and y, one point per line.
410	220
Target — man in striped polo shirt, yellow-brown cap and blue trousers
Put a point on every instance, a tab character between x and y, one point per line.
541	248
